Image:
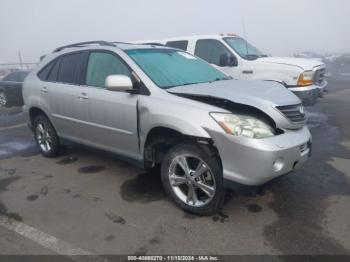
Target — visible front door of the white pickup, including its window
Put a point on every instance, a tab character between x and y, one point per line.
217	54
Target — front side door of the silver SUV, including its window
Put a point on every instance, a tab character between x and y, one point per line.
112	115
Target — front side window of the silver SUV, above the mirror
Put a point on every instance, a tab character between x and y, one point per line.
101	65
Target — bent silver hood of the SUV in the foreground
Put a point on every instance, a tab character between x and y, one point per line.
263	95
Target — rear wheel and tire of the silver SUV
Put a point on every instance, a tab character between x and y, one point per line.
46	137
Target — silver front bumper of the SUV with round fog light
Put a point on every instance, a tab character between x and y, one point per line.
253	162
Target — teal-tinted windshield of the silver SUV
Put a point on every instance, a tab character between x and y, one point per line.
169	68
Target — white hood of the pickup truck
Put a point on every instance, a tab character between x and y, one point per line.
303	63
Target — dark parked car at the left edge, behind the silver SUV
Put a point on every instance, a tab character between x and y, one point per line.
11	89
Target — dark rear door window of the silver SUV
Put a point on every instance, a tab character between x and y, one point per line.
69	69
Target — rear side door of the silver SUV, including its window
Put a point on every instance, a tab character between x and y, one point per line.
61	95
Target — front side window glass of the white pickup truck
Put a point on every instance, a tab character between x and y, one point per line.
211	50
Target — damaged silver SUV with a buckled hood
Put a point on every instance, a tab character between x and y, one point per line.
164	107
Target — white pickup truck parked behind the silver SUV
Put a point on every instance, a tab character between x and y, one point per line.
236	57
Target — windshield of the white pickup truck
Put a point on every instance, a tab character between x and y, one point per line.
243	48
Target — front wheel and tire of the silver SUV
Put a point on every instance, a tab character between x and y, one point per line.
199	190
